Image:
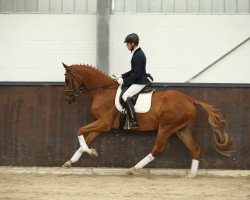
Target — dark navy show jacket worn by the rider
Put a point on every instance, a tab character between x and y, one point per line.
137	74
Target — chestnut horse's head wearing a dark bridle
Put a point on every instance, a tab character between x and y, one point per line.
73	86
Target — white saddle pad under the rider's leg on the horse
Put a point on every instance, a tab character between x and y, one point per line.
142	105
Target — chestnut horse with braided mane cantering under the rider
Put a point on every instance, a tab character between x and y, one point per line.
171	112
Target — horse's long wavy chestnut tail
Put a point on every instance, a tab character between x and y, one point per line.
222	141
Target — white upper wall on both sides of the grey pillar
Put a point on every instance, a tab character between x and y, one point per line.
32	46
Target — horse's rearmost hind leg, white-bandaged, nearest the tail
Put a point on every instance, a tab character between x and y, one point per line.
185	135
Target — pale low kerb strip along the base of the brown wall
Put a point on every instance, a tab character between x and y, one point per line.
121	171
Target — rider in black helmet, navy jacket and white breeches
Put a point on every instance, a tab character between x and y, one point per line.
136	78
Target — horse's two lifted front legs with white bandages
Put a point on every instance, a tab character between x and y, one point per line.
94	128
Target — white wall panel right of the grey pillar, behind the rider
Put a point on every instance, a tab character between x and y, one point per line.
179	46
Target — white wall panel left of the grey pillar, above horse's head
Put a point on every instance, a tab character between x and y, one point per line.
33	46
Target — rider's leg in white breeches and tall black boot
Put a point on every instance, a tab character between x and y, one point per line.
131	91
